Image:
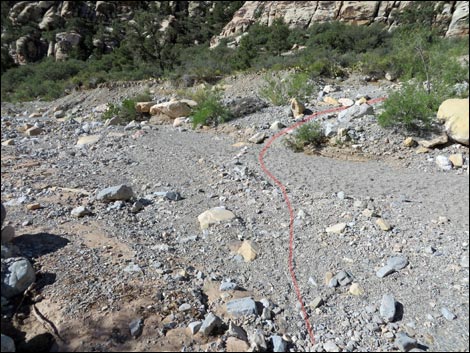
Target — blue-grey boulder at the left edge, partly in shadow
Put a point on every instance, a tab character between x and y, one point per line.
17	276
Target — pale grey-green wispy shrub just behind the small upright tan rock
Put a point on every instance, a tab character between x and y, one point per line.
279	91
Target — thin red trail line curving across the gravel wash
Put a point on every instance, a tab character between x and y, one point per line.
289	206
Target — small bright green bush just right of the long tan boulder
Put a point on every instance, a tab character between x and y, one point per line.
209	109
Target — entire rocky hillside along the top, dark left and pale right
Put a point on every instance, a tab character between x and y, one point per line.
32	30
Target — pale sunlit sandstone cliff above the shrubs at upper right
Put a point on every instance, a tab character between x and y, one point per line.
453	18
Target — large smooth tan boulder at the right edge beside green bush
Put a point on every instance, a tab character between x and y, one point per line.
455	114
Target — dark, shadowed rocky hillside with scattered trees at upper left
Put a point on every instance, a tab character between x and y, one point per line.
32	30
